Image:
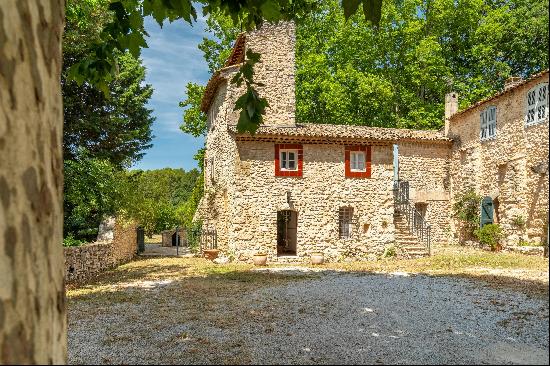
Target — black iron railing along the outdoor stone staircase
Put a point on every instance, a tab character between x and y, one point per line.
416	223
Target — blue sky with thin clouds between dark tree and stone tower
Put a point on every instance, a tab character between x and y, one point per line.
172	60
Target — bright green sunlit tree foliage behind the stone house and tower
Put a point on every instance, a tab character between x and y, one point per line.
396	75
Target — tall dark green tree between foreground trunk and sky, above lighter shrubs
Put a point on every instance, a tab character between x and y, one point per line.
116	127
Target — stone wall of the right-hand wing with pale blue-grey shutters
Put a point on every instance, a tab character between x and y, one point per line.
502	167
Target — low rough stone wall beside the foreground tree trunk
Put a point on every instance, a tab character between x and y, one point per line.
89	260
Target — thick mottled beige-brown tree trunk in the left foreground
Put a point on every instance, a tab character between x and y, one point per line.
33	326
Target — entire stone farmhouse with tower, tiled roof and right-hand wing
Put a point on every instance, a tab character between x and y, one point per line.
293	189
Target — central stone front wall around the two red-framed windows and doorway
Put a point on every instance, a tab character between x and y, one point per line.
258	194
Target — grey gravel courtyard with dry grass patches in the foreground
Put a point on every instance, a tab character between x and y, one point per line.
238	315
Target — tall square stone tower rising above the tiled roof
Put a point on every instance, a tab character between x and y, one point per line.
276	43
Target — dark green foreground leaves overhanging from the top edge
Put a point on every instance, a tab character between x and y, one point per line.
126	32
